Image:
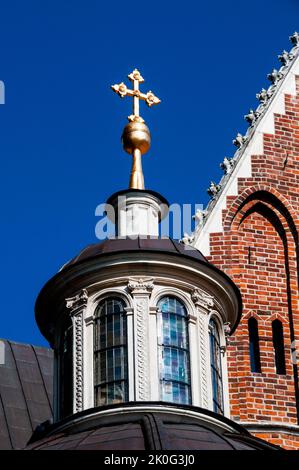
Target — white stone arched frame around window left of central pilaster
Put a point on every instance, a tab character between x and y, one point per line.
88	341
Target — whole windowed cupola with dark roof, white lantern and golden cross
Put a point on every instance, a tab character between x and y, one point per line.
139	323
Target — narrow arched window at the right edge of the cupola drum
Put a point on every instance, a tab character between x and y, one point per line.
216	367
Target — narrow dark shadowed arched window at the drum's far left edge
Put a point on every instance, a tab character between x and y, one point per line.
66	370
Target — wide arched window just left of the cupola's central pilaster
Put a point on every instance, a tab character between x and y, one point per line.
110	352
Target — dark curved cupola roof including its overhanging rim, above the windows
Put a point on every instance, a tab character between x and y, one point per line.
46	310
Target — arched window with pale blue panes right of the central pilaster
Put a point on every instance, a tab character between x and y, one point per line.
174	355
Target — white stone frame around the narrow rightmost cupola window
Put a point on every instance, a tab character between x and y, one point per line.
215	315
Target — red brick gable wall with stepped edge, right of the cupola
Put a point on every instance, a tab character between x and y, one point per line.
259	250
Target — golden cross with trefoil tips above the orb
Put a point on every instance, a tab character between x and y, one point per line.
149	97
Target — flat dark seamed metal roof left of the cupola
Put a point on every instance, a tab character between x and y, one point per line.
26	382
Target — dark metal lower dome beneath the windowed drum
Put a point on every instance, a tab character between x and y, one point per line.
150	428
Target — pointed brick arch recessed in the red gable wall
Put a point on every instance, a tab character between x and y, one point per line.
276	209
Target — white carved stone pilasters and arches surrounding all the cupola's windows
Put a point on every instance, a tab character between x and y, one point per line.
147	365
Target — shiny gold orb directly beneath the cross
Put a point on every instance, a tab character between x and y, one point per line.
136	135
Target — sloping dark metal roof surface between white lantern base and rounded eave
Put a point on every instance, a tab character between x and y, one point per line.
166	245
